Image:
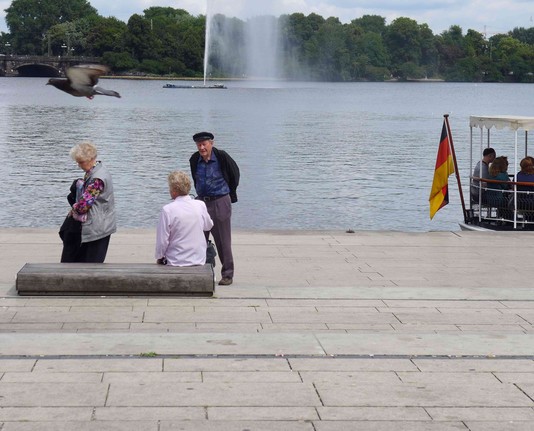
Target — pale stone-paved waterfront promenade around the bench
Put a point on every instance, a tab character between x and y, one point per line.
320	331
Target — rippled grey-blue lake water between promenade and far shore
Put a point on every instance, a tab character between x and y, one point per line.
355	156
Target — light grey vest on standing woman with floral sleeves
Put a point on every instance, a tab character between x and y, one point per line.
101	219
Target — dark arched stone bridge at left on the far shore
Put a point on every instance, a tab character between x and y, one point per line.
42	66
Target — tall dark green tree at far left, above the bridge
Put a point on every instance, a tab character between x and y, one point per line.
30	20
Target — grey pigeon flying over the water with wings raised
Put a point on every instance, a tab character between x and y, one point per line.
82	81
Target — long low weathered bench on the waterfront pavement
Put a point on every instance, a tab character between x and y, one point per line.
105	279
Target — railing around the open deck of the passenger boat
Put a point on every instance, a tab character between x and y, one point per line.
502	202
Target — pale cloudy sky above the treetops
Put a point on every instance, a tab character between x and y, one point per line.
485	16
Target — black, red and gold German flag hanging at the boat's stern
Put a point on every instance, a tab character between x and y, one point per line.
439	195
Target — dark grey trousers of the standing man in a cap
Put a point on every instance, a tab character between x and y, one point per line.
220	211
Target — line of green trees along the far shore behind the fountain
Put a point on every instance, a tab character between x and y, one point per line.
170	42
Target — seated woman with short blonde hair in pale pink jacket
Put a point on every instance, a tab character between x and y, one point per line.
180	237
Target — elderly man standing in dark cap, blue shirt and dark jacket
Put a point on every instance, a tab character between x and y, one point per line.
216	177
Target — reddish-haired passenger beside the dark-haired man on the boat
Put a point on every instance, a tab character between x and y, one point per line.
497	195
